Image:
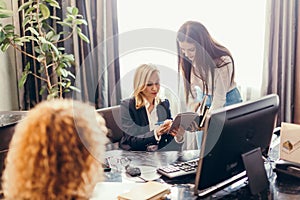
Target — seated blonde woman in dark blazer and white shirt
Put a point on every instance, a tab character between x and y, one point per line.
146	119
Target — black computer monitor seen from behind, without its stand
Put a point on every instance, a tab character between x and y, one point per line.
230	132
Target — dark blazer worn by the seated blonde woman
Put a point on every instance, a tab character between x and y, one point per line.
135	125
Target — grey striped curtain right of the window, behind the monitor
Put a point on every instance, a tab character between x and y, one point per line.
280	69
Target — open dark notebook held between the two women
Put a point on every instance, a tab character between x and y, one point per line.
192	121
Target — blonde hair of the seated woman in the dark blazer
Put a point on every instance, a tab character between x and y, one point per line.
141	78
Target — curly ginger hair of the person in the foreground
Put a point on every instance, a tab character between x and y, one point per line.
56	152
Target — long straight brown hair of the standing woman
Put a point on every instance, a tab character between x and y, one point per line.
207	51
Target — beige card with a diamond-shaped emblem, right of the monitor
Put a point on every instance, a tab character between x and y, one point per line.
290	142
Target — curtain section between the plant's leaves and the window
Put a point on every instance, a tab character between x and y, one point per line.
98	75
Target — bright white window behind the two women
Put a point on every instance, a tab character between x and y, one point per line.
238	25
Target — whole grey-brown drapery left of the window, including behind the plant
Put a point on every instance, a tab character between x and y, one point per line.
96	63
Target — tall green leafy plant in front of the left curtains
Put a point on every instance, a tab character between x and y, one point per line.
54	63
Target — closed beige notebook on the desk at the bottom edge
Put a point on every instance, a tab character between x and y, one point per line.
149	191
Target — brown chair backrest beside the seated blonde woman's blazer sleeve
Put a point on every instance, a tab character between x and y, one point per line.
112	118
